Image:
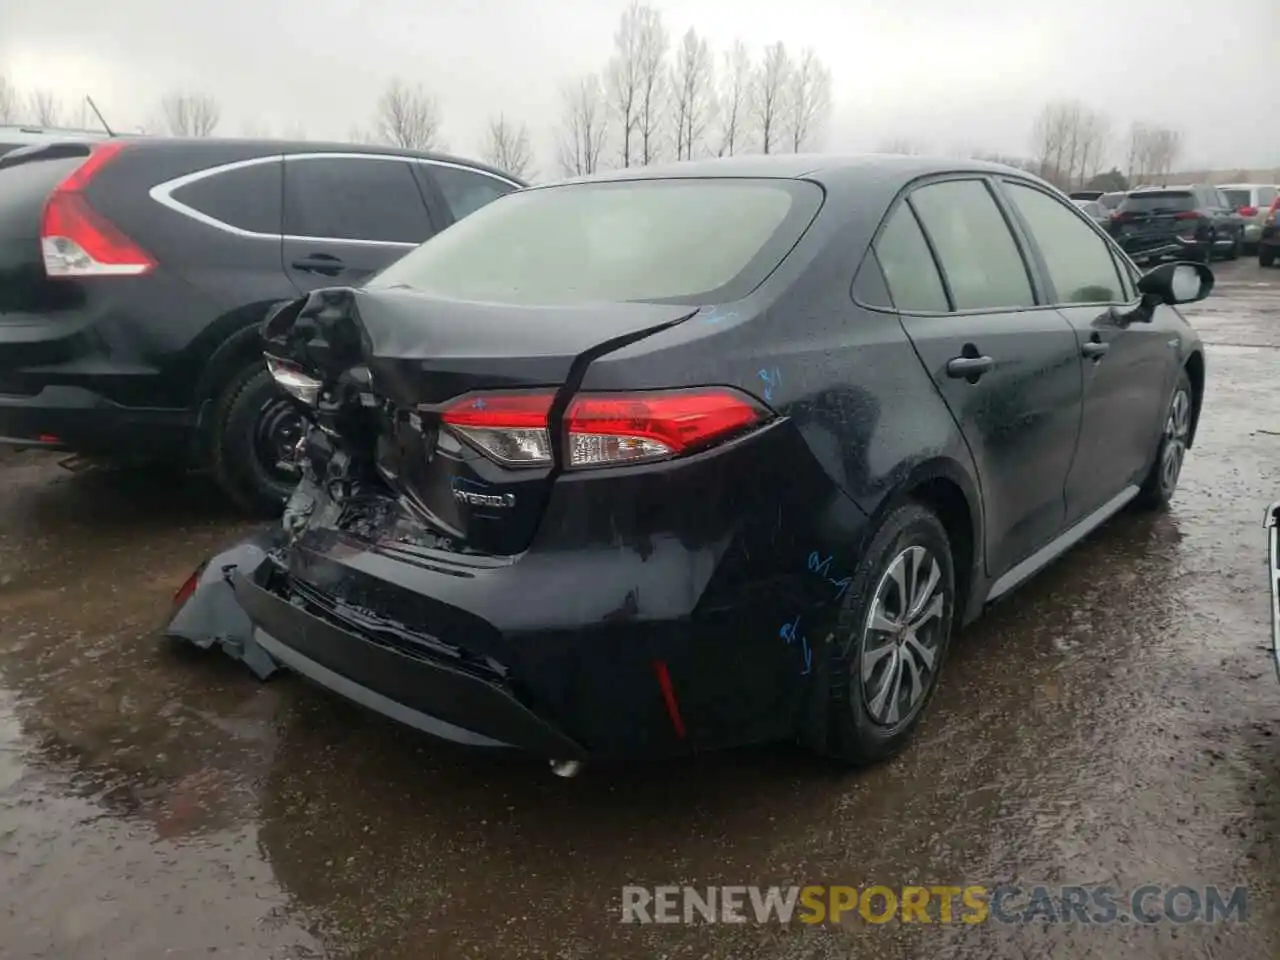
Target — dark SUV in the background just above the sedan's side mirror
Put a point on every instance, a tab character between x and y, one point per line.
1194	222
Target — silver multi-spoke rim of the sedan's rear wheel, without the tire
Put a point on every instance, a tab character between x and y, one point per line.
903	637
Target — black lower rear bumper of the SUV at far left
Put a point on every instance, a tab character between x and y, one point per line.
80	420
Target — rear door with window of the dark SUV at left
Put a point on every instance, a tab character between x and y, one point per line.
349	216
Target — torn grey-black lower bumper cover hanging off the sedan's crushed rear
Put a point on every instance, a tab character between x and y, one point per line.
240	607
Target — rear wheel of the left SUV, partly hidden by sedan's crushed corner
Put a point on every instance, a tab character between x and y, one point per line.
246	472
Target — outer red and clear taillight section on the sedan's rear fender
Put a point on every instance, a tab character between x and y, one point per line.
620	428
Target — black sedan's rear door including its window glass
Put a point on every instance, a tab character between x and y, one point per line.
1008	369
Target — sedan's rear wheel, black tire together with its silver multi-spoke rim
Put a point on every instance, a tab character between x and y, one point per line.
876	675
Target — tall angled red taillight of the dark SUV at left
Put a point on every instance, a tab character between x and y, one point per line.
76	240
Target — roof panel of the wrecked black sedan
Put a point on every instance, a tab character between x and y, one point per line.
819	167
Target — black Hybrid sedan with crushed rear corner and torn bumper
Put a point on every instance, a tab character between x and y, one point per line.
684	458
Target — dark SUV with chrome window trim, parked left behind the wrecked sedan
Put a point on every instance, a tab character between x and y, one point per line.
135	275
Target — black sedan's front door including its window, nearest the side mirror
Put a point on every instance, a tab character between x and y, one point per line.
1128	367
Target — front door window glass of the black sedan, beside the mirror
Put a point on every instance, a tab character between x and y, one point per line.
1080	262
